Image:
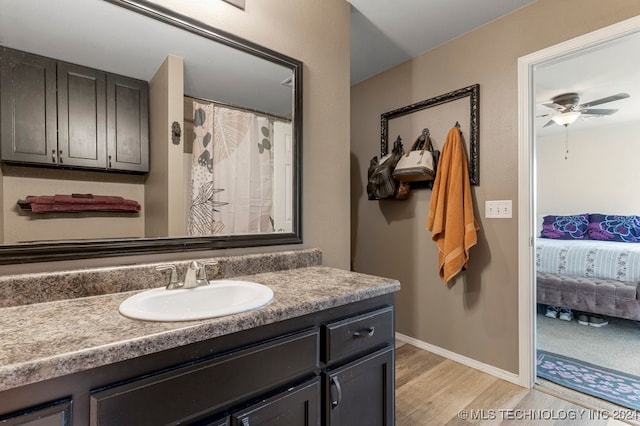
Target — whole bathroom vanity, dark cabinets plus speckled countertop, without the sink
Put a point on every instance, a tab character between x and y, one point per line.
322	352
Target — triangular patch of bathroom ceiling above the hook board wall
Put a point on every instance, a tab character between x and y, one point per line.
385	33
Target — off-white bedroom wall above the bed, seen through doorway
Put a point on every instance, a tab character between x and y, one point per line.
600	174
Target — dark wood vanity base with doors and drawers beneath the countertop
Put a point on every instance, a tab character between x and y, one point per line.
333	367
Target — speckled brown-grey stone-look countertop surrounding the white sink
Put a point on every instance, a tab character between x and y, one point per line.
47	340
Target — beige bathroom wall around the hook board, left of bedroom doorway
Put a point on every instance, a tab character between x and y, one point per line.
476	317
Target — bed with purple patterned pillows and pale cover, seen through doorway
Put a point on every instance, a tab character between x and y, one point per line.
579	267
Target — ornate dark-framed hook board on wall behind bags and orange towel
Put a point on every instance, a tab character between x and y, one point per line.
439	114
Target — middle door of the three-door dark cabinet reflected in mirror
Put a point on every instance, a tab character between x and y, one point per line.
82	117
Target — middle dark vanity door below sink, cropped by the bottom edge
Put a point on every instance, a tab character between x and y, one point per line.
298	406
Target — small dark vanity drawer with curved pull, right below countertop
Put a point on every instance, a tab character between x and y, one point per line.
355	334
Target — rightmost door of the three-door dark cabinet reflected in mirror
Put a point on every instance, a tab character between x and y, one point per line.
127	124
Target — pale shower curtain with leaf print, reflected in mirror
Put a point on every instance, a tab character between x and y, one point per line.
231	173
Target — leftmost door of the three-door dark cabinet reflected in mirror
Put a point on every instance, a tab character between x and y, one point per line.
28	108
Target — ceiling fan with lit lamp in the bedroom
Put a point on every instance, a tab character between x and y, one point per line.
568	108
